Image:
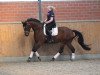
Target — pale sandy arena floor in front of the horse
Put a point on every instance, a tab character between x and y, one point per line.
78	67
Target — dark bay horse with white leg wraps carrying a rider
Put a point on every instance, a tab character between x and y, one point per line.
65	37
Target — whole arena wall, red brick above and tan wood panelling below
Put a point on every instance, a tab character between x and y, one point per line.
14	43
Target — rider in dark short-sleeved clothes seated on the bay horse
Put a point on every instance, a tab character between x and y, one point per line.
50	22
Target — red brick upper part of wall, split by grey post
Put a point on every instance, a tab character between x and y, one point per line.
65	10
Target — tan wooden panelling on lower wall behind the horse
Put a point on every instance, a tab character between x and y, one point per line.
14	43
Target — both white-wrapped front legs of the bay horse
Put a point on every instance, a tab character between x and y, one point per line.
34	50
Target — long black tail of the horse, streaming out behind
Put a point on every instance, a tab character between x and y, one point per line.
81	40
